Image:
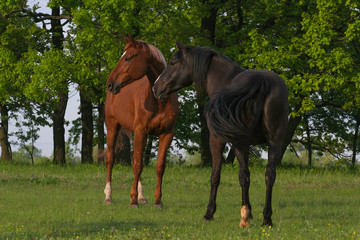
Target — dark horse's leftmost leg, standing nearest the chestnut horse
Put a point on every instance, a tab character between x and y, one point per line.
216	147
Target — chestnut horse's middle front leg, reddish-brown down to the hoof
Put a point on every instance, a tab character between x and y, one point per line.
139	146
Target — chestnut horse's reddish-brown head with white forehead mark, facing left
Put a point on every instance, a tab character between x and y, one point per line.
131	66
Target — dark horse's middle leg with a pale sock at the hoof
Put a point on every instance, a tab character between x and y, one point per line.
244	179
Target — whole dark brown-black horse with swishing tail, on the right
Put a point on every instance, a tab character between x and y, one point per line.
245	108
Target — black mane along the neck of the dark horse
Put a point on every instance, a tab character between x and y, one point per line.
202	57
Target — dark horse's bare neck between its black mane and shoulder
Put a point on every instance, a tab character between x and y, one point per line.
217	77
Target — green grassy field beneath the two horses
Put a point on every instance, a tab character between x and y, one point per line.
53	202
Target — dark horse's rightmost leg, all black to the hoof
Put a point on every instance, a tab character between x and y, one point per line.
274	156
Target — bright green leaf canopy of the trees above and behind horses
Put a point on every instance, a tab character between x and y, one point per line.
313	45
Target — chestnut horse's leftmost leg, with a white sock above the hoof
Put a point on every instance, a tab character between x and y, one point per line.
111	137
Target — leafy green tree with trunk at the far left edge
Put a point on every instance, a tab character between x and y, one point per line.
15	30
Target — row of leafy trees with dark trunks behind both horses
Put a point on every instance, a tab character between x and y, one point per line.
313	45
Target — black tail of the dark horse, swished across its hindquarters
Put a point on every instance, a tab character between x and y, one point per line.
236	111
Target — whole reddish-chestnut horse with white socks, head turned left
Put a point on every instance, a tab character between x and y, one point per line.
131	105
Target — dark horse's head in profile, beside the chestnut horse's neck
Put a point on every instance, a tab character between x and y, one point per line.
176	75
